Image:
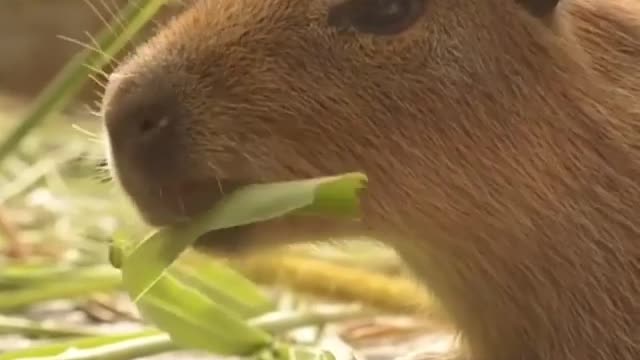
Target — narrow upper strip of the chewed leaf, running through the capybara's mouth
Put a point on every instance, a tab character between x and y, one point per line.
254	203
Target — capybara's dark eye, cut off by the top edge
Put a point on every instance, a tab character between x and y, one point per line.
377	17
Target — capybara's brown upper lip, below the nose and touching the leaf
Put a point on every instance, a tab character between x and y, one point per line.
163	205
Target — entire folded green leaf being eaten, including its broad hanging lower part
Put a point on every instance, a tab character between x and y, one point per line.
212	317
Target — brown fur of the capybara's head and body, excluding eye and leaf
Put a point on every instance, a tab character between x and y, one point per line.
503	156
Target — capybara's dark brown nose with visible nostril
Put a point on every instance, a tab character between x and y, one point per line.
143	122
